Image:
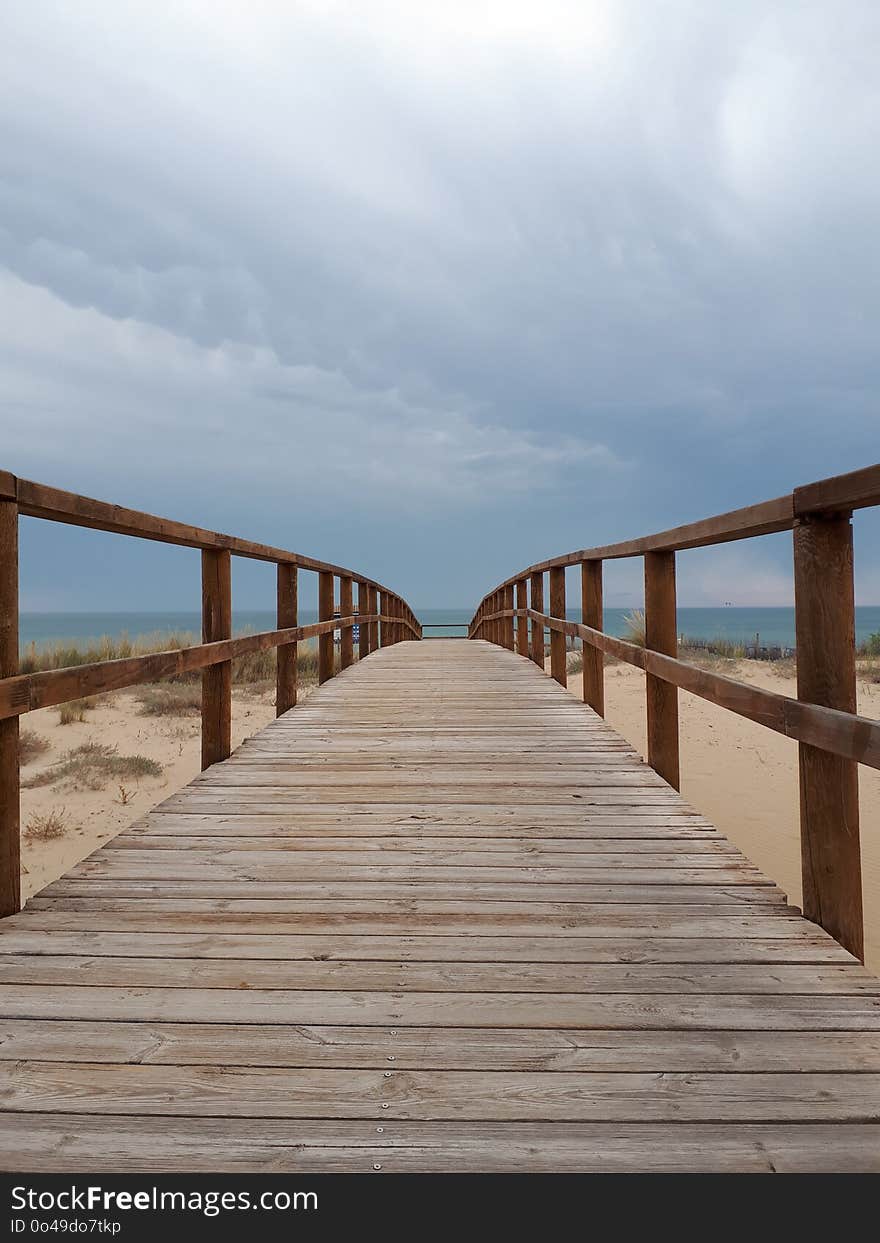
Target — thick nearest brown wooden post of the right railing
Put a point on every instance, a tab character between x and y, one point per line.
825	612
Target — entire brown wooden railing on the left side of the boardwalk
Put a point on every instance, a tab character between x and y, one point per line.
382	616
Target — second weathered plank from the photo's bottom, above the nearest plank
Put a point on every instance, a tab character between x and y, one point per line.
269	1092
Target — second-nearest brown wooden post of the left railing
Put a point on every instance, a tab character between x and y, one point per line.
217	682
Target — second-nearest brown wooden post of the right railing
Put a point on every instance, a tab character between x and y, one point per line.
662	636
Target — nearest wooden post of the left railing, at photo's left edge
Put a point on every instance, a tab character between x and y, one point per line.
11	815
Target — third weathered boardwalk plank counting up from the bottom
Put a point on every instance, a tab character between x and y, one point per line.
436	1048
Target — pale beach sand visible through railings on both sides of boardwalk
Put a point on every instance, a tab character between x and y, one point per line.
740	775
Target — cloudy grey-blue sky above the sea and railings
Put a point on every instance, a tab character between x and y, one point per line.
436	289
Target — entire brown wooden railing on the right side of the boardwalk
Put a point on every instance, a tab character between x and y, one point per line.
832	739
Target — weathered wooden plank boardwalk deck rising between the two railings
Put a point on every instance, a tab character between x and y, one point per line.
439	917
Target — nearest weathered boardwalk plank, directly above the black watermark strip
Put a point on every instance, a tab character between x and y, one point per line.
127	1144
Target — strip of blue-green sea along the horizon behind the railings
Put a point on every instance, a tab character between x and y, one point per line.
759	627
